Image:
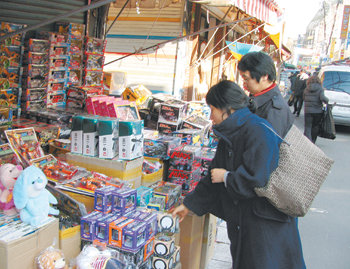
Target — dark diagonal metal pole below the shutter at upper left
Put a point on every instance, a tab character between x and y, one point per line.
62	16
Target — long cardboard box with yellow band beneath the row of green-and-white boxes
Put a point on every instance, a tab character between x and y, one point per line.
126	170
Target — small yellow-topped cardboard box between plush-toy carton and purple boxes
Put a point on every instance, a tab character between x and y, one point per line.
70	242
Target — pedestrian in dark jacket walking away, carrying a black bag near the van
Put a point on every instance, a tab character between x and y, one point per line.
313	102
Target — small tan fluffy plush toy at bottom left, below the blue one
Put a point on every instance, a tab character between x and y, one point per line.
51	258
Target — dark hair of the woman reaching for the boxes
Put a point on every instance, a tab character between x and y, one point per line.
227	95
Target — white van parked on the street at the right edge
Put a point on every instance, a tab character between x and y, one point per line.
336	81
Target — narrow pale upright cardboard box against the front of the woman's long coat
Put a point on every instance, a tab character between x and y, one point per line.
208	242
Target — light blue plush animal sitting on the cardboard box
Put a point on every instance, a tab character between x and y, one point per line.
31	197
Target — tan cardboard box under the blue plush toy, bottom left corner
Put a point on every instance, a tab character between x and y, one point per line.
21	253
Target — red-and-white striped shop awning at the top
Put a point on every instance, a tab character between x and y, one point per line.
264	10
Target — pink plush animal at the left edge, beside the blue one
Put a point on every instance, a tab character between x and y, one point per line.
8	176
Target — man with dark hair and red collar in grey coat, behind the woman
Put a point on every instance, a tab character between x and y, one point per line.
259	74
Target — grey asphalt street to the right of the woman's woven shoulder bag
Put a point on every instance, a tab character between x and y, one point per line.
325	230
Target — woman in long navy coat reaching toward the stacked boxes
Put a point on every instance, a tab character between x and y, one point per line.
261	236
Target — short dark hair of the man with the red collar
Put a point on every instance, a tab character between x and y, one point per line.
259	64
